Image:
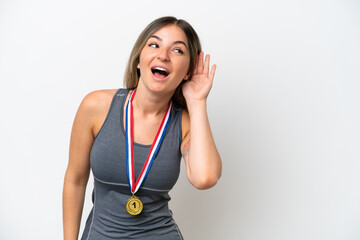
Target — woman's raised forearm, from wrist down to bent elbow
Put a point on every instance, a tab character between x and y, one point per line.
204	162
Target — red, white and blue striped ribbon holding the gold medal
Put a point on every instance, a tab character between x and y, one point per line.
129	132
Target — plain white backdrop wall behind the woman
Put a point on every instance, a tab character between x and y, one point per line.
284	110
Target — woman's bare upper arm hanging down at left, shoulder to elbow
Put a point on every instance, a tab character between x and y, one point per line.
88	114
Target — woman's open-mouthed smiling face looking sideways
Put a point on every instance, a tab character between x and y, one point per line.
164	60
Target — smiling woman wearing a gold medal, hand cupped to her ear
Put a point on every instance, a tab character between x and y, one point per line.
133	139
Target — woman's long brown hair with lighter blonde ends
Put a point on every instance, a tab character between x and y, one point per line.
132	73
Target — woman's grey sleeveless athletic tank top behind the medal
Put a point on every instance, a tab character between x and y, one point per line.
108	218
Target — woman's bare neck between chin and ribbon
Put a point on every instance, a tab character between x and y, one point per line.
147	103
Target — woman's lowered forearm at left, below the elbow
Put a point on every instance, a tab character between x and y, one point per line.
73	201
